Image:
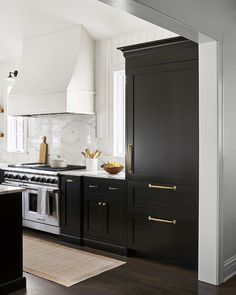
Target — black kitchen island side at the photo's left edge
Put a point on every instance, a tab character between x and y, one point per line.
11	262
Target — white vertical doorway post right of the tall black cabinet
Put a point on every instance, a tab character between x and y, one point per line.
208	170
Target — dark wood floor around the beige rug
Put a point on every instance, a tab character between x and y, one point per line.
137	277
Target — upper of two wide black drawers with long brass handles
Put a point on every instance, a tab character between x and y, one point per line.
152	196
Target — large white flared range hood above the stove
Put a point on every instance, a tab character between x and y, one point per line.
56	75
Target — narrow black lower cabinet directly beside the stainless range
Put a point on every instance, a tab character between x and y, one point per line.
70	208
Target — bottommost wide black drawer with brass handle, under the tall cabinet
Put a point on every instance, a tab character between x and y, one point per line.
164	236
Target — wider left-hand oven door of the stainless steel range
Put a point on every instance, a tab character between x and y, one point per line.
34	205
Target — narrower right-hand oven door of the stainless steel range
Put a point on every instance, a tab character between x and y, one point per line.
52	207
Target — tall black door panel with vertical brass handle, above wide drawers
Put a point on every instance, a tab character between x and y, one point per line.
162	121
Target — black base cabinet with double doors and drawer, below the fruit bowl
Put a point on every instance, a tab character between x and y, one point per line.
104	222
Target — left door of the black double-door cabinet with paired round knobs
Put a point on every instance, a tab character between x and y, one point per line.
93	217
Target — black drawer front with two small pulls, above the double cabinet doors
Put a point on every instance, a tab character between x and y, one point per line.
103	186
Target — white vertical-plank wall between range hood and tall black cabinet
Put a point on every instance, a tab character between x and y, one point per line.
109	59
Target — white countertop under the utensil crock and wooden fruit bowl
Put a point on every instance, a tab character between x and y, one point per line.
98	173
